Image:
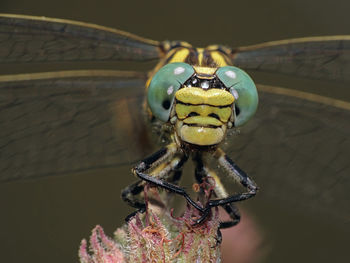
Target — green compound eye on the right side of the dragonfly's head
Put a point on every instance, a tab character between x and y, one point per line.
239	82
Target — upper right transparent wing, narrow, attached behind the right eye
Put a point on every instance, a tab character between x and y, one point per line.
312	57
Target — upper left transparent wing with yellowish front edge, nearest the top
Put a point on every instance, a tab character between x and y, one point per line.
41	39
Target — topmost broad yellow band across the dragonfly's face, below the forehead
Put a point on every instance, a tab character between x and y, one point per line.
197	96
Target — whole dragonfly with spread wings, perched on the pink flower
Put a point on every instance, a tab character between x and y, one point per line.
54	123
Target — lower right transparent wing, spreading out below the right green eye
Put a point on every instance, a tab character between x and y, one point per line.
297	149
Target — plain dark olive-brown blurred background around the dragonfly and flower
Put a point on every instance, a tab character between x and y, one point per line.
44	220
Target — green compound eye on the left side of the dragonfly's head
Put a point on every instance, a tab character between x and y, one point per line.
163	86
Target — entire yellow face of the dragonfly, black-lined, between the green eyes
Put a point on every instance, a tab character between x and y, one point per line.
202	129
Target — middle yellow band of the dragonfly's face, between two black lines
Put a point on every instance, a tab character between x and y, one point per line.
182	111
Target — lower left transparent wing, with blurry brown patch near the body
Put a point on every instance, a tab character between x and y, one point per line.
61	122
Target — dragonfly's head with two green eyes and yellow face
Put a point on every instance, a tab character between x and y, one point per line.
202	103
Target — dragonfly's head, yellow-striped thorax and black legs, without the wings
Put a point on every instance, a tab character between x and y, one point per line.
201	95
